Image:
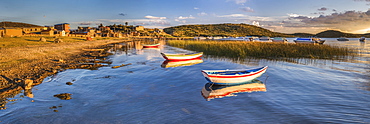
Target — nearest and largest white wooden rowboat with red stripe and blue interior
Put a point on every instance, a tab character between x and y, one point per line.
232	77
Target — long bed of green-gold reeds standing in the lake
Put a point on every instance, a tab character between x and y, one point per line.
240	49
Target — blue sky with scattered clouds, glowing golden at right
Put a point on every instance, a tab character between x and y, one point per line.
285	16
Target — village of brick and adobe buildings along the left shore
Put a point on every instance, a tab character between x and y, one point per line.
63	29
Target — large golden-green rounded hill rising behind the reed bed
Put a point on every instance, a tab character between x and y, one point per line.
234	30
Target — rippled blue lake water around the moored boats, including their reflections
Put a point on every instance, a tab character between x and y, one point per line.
153	91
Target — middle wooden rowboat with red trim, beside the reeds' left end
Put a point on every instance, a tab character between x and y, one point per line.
186	56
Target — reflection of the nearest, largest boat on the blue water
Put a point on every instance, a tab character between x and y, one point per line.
210	91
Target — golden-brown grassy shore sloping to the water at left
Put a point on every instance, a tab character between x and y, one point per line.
28	66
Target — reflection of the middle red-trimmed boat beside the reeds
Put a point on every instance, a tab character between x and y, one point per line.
169	64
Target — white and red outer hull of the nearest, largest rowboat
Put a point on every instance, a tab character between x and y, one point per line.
233	79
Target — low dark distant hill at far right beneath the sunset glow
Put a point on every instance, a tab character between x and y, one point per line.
334	33
